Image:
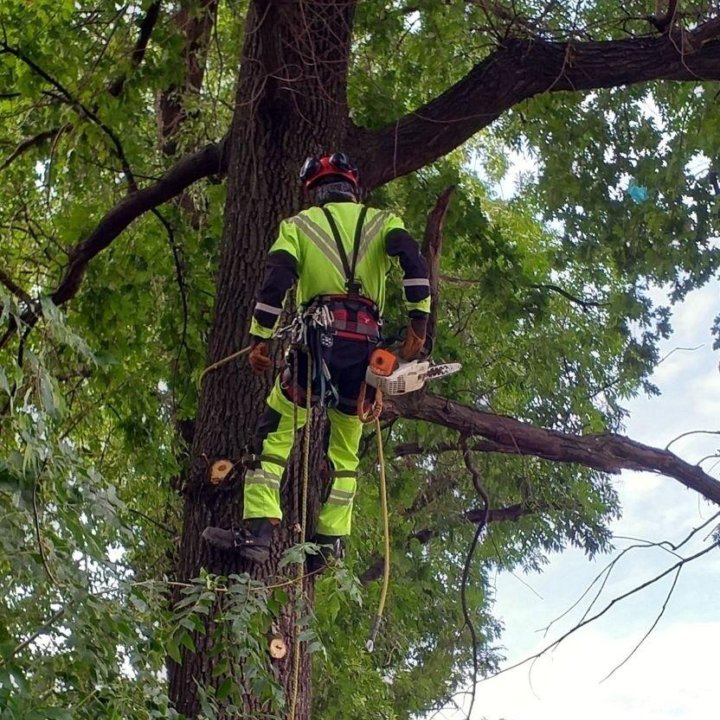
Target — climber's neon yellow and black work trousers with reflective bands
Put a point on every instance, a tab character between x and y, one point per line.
347	361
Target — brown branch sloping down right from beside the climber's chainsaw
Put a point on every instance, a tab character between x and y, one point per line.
607	451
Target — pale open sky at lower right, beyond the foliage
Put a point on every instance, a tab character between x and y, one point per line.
673	674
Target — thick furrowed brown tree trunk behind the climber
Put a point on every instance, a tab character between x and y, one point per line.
290	102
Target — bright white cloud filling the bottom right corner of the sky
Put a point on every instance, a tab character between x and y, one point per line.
671	677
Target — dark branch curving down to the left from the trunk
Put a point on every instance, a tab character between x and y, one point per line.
208	161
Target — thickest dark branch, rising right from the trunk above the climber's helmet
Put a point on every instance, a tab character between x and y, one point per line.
519	70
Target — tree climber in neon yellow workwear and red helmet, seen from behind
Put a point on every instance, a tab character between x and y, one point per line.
339	252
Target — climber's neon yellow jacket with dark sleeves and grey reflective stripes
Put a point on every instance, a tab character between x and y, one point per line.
306	250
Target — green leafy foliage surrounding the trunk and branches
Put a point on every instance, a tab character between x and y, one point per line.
545	299
